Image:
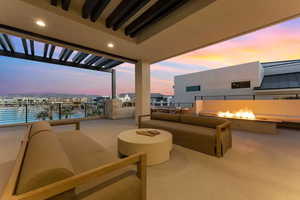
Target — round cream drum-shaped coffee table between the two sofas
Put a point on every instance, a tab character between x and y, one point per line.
157	147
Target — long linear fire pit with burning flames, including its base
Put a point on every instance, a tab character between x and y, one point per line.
248	122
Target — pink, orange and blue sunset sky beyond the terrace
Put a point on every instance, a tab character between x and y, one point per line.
278	42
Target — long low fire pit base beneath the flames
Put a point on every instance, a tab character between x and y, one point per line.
256	126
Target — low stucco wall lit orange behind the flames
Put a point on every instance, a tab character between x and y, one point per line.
267	108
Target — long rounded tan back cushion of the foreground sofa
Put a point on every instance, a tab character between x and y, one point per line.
44	163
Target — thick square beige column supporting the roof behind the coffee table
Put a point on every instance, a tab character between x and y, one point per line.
142	88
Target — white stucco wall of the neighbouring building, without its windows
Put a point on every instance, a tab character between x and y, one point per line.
218	81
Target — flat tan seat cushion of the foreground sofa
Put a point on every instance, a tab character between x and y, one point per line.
94	155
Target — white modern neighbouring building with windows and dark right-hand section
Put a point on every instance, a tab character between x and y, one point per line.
240	81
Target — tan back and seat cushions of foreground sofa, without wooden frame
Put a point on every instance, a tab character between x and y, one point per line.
51	157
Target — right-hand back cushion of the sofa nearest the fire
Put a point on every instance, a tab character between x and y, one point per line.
208	122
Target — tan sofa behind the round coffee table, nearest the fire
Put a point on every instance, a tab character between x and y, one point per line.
204	134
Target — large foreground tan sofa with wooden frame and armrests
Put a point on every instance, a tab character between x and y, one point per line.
69	165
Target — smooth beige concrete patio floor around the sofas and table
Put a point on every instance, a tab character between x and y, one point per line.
257	167
